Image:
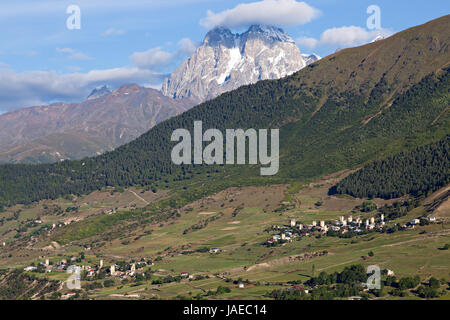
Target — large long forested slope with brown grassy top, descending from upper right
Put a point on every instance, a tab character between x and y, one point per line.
354	106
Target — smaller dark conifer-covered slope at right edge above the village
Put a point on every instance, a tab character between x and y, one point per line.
418	173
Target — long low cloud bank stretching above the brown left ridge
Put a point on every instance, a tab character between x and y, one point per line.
26	89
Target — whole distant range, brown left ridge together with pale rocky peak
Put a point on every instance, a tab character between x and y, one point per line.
109	119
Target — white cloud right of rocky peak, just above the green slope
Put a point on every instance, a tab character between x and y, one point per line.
347	36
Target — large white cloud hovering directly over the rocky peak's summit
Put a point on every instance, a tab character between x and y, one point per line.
270	12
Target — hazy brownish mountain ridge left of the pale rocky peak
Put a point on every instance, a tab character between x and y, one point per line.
72	131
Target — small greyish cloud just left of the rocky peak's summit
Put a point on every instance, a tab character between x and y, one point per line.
158	58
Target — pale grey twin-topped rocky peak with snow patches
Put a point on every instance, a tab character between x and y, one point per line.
226	61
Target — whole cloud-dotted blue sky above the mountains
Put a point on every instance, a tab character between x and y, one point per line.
41	61
